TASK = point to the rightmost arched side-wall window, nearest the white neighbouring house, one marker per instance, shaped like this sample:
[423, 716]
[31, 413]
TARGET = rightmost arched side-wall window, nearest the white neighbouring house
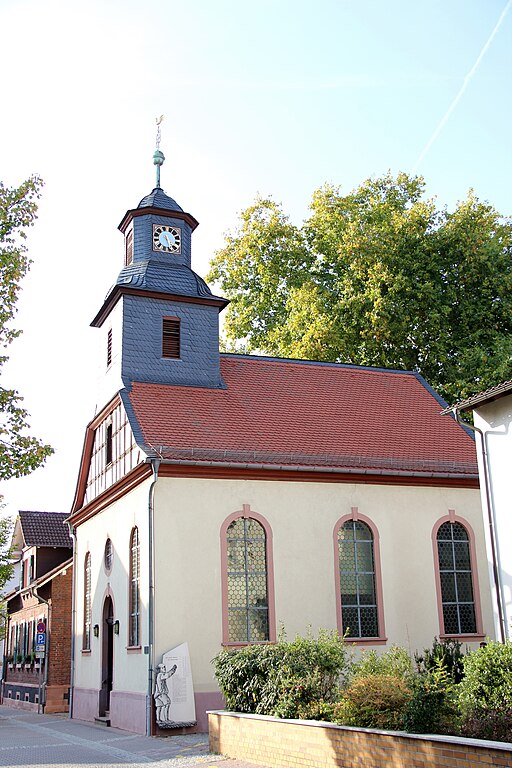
[459, 609]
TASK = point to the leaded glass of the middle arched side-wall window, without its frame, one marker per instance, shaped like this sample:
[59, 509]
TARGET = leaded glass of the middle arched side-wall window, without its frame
[357, 580]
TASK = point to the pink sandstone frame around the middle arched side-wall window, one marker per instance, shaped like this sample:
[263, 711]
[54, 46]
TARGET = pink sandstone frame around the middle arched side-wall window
[381, 638]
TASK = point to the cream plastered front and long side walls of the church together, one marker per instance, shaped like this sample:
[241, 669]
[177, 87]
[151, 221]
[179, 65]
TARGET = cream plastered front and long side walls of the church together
[189, 514]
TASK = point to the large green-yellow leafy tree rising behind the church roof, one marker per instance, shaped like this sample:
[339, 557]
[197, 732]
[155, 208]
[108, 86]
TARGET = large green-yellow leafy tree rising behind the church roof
[377, 277]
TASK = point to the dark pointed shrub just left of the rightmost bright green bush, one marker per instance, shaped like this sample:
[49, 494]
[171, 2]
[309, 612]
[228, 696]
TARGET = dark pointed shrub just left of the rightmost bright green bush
[432, 706]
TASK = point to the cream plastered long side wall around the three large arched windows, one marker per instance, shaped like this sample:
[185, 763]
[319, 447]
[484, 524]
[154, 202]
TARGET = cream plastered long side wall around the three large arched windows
[188, 517]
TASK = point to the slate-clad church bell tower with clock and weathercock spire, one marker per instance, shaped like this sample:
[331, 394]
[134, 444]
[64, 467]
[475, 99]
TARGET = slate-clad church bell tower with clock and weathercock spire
[160, 320]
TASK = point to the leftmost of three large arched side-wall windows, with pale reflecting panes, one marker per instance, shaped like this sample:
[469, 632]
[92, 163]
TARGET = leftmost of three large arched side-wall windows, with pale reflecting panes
[248, 601]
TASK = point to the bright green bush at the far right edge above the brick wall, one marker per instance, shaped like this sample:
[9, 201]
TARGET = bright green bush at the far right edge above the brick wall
[485, 693]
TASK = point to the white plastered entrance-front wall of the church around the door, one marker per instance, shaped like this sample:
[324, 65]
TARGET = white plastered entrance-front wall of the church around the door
[115, 522]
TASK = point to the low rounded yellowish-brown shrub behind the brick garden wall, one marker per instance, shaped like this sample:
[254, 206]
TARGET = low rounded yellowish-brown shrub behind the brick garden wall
[374, 701]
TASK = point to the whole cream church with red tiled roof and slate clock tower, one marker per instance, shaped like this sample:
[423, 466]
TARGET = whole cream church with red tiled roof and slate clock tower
[221, 497]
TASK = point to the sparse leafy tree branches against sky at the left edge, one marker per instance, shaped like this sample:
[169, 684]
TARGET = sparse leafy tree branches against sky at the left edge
[19, 452]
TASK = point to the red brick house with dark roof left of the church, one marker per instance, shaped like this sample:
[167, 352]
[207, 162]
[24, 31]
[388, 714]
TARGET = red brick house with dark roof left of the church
[43, 548]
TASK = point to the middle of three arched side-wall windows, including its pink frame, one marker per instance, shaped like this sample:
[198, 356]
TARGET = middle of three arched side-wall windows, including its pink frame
[358, 584]
